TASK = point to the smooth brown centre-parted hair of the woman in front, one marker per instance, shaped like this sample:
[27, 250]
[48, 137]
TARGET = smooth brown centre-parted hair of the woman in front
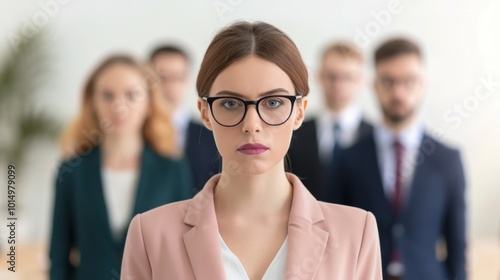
[242, 39]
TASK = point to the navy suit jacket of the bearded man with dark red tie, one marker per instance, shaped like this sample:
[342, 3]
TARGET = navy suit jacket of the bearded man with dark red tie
[434, 208]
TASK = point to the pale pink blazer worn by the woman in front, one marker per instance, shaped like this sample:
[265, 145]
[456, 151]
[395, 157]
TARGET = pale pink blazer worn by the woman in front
[181, 240]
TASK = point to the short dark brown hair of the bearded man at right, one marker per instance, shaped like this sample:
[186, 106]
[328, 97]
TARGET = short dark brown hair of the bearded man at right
[396, 47]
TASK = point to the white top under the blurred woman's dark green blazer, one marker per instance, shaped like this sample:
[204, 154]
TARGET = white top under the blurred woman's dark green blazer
[119, 192]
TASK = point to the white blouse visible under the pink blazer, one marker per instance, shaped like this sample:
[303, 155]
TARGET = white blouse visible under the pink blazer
[235, 271]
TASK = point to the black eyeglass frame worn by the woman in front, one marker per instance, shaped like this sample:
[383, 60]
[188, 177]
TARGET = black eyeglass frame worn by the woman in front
[292, 98]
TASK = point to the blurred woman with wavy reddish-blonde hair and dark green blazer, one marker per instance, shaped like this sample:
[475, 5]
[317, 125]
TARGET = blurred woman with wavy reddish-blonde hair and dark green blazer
[120, 160]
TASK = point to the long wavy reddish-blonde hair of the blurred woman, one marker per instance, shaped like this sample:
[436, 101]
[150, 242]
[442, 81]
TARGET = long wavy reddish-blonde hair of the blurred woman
[84, 132]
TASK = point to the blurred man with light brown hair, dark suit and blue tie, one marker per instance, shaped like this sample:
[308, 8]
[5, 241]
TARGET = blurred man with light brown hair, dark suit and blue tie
[316, 146]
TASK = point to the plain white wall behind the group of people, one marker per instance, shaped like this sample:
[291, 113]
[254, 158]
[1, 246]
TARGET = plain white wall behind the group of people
[461, 40]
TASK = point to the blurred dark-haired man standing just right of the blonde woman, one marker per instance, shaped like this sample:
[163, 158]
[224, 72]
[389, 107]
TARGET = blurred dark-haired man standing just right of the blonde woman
[171, 63]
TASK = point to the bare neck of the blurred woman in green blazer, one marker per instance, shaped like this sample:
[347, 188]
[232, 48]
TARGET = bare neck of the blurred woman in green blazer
[122, 152]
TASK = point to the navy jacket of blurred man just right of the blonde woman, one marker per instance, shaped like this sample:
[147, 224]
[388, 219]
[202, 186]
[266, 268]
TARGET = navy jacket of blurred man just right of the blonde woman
[202, 155]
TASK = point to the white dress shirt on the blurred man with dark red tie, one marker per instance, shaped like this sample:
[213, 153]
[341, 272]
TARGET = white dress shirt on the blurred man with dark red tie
[410, 138]
